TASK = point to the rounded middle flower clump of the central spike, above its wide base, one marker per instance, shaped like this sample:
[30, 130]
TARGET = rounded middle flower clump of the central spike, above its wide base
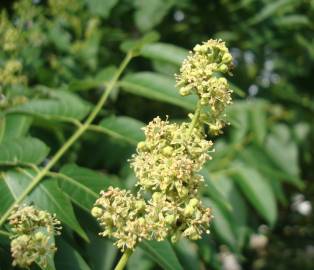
[171, 157]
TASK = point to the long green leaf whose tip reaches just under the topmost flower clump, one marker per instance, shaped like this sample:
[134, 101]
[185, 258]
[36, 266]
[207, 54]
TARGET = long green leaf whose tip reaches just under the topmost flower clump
[158, 87]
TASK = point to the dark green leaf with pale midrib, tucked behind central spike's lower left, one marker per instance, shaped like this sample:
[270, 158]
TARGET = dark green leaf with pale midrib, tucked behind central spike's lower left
[82, 185]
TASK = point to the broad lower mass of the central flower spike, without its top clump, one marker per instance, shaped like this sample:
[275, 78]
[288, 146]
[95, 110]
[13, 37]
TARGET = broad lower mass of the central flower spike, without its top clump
[166, 165]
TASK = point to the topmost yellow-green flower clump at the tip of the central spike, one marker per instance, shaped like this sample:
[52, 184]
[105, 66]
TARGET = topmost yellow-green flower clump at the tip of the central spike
[201, 72]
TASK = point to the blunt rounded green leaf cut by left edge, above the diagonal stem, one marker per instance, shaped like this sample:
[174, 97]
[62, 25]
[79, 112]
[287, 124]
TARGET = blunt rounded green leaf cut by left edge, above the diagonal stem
[22, 150]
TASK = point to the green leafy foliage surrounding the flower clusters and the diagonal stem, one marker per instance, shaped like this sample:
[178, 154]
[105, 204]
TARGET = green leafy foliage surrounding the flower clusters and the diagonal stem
[56, 57]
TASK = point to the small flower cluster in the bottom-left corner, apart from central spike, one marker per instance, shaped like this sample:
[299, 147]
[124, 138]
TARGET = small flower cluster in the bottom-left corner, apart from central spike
[32, 236]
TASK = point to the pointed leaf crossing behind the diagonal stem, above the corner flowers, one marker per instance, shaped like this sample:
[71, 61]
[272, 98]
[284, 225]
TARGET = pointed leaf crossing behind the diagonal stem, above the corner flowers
[46, 195]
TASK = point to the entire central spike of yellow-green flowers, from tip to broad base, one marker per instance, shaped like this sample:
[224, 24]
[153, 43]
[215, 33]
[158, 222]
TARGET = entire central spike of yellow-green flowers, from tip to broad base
[168, 161]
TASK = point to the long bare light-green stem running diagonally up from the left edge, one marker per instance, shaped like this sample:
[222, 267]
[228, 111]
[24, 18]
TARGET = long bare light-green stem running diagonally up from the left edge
[82, 128]
